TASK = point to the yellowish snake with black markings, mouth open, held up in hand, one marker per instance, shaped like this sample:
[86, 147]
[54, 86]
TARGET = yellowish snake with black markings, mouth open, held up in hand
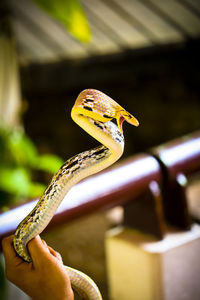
[102, 118]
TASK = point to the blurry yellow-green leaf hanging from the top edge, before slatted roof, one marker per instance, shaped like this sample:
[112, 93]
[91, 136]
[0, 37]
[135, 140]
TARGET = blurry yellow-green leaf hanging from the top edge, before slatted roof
[70, 14]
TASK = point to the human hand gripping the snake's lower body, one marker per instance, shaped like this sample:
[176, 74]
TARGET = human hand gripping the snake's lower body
[44, 278]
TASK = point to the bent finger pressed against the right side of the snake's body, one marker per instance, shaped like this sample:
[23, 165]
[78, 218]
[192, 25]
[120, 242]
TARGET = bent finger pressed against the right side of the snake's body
[37, 250]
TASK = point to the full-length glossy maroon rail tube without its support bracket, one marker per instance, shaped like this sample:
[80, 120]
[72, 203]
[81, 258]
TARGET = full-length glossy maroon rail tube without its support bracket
[118, 185]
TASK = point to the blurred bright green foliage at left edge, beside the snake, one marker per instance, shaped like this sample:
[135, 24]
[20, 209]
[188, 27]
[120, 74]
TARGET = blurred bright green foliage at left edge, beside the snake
[18, 159]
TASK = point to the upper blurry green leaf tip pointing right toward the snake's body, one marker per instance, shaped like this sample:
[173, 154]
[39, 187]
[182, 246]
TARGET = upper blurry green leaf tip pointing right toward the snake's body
[48, 162]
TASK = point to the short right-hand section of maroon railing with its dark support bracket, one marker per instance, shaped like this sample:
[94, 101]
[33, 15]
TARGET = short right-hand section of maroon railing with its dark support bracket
[178, 160]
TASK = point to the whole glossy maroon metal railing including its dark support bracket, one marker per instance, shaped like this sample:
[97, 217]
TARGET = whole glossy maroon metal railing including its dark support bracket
[162, 170]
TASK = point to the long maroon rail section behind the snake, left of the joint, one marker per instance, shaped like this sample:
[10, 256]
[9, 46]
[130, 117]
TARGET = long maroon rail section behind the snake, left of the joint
[105, 190]
